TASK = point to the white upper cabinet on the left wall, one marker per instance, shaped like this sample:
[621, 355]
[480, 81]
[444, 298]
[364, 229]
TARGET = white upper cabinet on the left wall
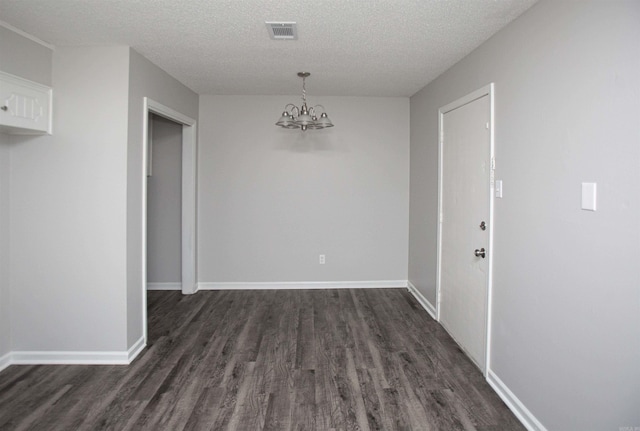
[25, 106]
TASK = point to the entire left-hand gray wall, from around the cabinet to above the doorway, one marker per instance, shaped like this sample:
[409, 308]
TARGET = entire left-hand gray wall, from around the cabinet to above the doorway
[77, 199]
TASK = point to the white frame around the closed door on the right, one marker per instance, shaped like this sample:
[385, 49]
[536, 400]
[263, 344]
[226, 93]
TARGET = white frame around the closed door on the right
[487, 90]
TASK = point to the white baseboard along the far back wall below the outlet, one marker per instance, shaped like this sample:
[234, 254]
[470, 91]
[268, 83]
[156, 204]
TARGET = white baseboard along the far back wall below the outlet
[372, 284]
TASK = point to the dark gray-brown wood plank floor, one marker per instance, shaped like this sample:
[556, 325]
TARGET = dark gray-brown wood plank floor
[268, 360]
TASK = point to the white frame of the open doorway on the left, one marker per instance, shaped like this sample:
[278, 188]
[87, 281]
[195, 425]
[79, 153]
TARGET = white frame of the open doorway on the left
[188, 210]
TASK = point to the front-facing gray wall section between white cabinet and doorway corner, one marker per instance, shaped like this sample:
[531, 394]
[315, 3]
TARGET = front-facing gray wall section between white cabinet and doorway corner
[68, 211]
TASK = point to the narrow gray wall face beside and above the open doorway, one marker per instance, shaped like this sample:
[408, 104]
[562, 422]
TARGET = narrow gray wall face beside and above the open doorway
[145, 80]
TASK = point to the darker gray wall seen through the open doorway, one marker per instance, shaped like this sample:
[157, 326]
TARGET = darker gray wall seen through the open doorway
[164, 203]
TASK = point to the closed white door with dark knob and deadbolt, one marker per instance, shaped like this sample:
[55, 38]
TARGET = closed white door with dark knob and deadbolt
[465, 224]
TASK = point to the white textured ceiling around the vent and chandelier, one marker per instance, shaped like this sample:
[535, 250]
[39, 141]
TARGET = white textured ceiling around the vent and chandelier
[351, 48]
